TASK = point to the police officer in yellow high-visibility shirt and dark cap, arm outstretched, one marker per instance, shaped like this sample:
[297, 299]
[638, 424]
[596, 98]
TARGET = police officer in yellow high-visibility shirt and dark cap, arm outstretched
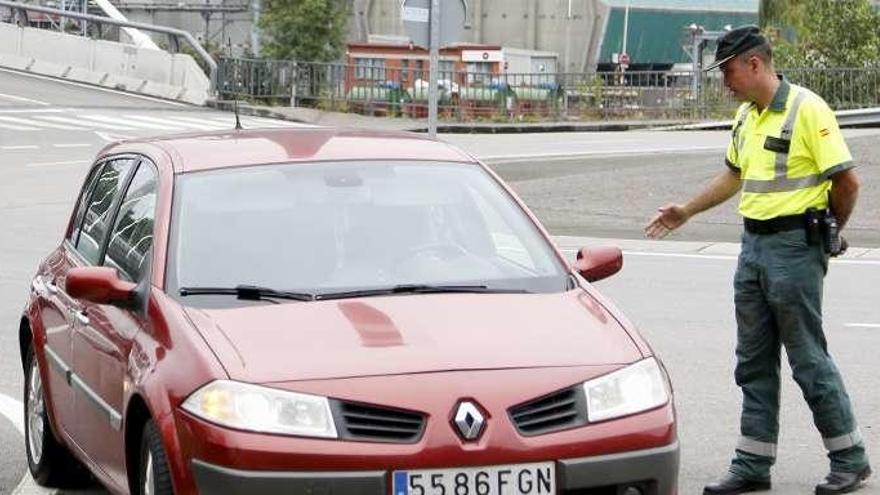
[788, 157]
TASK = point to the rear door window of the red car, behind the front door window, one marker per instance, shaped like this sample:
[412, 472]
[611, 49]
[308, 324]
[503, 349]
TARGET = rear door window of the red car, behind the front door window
[98, 215]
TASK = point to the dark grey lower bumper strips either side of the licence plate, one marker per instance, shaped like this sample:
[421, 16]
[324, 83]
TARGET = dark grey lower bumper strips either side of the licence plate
[651, 471]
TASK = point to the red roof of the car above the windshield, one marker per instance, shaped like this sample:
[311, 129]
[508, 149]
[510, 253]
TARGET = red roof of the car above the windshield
[235, 148]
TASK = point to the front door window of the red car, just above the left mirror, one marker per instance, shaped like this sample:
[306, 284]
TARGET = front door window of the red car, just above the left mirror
[132, 236]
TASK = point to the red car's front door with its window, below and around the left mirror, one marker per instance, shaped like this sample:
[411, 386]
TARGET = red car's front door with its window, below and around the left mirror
[104, 334]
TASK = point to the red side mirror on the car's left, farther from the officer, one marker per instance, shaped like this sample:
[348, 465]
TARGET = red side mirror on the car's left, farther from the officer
[100, 285]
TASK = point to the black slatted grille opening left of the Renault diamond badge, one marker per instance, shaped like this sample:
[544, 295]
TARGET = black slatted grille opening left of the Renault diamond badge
[356, 421]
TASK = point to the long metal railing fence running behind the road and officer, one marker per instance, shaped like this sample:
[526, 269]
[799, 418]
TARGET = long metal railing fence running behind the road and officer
[475, 96]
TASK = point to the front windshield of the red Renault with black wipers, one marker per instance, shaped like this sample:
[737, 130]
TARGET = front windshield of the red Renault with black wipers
[325, 228]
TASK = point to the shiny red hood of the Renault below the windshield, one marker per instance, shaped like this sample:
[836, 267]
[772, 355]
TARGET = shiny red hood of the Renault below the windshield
[412, 334]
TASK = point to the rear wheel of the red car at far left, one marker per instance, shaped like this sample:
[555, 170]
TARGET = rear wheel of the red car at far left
[51, 464]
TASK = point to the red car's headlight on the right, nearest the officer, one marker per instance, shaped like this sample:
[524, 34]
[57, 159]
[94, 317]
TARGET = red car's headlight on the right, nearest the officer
[636, 388]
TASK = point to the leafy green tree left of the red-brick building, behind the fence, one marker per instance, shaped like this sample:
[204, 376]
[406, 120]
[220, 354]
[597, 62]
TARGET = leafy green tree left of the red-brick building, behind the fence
[304, 30]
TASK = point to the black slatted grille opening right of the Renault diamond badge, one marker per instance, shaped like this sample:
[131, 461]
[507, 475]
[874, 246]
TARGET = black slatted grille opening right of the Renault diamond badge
[558, 411]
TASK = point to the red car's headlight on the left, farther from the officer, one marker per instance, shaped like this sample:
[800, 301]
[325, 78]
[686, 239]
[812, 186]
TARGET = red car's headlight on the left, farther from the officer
[262, 409]
